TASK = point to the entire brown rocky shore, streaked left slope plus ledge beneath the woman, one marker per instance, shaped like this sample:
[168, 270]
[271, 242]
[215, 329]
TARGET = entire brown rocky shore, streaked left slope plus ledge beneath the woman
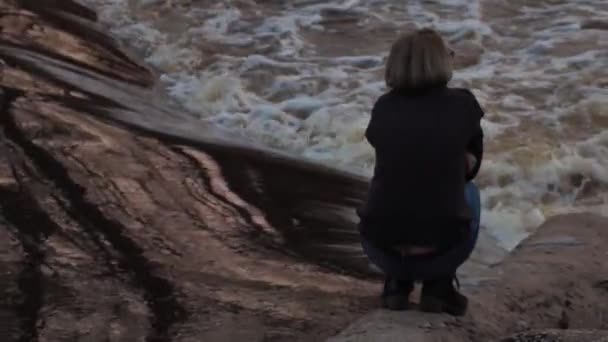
[123, 219]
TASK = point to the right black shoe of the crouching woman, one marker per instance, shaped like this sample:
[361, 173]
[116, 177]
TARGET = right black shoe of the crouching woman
[440, 295]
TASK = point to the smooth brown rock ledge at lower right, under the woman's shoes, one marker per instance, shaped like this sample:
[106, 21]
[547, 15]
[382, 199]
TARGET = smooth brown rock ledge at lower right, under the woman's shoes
[553, 287]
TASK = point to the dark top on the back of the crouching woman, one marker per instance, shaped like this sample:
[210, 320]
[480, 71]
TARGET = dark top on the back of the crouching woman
[416, 194]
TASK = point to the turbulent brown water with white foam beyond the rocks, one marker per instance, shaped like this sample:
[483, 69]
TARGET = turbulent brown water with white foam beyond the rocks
[301, 76]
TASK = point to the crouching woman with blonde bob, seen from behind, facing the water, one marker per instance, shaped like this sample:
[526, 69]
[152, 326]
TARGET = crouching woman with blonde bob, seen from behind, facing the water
[421, 218]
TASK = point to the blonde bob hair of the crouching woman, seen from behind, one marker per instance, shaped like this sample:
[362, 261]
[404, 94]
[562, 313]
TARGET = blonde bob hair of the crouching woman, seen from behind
[418, 60]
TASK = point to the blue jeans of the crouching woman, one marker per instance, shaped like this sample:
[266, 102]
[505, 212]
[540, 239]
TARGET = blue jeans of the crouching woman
[409, 268]
